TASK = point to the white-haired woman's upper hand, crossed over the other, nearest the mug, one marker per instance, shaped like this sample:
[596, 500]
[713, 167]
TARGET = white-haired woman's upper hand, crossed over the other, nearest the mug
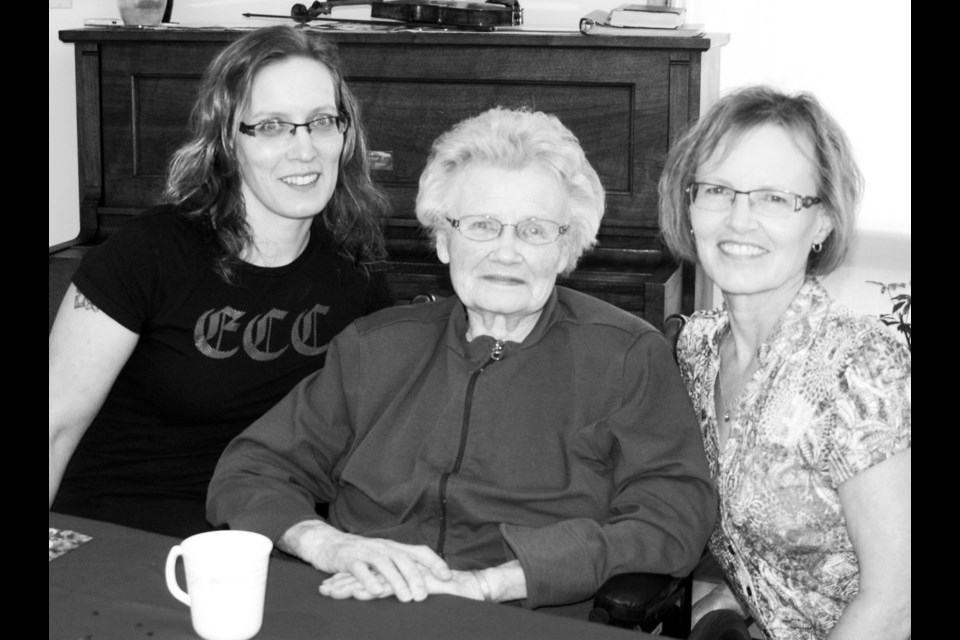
[380, 567]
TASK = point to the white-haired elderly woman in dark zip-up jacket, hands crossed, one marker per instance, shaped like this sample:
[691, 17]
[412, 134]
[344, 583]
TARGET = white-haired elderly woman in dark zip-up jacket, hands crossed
[517, 442]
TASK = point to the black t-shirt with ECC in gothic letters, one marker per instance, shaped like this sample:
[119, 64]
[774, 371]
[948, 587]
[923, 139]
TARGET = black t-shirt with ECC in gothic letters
[211, 358]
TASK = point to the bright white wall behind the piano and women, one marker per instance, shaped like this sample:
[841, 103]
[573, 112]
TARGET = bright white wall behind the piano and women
[854, 55]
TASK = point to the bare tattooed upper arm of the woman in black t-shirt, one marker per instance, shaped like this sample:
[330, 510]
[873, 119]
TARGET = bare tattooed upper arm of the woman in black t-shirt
[87, 351]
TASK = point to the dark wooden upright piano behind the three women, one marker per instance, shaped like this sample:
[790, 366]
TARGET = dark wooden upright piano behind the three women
[626, 98]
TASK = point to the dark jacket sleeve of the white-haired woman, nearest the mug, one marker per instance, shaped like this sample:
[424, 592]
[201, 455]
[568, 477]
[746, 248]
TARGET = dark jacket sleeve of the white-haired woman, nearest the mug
[273, 474]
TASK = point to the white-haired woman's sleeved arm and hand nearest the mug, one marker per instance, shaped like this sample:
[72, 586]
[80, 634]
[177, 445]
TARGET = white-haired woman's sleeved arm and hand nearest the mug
[271, 476]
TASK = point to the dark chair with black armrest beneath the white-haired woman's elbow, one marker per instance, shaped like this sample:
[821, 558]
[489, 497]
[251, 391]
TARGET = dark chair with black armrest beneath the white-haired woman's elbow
[661, 604]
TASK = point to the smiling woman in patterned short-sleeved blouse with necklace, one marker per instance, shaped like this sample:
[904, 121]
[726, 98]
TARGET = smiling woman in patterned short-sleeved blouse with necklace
[804, 405]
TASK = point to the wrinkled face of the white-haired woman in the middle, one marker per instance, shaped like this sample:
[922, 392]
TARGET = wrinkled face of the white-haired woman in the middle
[504, 276]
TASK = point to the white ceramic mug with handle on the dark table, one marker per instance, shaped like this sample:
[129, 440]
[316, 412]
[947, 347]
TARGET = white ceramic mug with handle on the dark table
[226, 575]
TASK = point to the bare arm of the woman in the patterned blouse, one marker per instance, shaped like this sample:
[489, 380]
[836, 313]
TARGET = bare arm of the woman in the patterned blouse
[876, 506]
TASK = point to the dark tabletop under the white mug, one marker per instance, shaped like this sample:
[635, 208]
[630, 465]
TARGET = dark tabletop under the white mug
[113, 587]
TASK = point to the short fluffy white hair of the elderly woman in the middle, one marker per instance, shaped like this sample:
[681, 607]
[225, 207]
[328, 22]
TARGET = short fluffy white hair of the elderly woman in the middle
[515, 139]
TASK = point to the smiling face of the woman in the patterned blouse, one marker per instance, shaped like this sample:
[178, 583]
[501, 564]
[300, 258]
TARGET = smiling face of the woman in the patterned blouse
[741, 250]
